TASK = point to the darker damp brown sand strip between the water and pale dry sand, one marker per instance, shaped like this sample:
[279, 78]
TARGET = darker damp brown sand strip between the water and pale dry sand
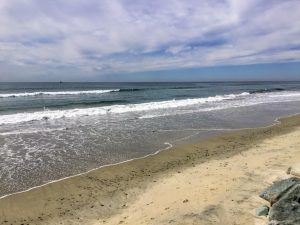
[134, 176]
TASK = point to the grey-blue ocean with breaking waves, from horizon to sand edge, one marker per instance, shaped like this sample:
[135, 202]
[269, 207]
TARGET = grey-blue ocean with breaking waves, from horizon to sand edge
[49, 131]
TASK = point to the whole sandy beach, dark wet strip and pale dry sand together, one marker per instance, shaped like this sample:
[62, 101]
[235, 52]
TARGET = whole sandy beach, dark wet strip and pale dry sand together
[214, 181]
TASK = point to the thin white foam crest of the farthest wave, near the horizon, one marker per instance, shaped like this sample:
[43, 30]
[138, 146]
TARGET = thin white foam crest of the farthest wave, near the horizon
[26, 94]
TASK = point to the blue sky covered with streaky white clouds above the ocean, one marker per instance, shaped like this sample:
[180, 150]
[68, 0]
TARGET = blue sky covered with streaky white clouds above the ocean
[150, 40]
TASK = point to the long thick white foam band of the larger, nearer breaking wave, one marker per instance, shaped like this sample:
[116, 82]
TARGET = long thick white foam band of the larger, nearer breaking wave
[114, 109]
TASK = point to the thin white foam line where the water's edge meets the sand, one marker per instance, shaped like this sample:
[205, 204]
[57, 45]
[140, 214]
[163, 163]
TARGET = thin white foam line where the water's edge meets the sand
[170, 145]
